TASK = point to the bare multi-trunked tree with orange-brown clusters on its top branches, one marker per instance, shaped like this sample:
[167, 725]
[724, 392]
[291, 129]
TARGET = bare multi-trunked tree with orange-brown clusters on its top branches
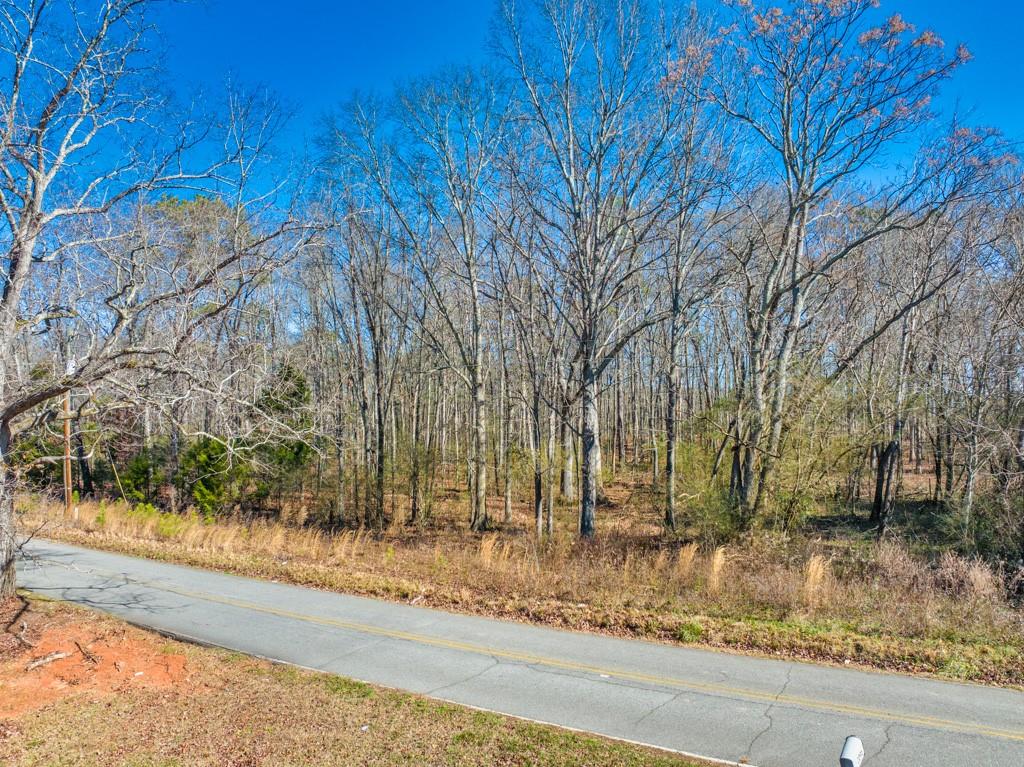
[825, 92]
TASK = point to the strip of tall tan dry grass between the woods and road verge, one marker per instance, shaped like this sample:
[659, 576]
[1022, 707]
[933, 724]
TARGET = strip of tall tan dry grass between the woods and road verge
[877, 588]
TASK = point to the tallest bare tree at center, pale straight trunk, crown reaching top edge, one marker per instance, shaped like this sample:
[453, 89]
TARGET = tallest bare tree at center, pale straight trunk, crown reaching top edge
[589, 86]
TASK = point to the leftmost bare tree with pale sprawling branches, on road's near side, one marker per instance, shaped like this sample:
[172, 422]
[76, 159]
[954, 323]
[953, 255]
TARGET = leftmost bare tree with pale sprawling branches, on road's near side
[83, 137]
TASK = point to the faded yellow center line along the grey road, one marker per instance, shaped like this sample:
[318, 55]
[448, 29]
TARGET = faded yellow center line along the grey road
[712, 689]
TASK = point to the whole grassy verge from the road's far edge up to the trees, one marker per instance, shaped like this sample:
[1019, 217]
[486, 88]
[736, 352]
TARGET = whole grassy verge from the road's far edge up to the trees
[836, 598]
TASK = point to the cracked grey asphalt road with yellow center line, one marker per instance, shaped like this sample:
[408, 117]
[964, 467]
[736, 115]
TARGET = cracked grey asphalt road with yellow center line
[715, 705]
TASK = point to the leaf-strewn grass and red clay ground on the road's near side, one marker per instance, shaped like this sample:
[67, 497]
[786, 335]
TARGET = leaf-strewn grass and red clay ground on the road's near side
[81, 689]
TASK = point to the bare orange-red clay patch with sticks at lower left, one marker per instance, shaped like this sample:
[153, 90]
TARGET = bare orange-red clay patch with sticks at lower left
[101, 659]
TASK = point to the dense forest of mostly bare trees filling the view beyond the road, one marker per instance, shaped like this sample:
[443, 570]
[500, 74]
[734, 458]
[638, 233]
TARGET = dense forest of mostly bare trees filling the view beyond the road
[733, 285]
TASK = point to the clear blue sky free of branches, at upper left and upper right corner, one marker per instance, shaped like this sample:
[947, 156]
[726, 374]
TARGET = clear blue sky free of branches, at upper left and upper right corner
[314, 54]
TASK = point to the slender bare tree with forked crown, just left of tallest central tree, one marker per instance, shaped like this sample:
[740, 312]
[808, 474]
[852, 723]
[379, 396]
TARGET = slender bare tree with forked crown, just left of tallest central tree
[435, 177]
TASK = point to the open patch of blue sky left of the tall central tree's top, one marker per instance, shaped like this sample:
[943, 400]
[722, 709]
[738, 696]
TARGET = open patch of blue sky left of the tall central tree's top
[315, 54]
